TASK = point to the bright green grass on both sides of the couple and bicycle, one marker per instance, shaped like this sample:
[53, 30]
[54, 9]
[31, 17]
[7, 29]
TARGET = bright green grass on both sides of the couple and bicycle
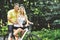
[44, 34]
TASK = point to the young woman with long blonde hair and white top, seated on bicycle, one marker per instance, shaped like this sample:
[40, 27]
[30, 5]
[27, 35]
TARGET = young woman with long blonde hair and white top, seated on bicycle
[21, 19]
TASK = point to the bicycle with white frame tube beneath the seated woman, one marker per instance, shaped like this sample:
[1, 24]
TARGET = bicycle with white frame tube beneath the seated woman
[28, 34]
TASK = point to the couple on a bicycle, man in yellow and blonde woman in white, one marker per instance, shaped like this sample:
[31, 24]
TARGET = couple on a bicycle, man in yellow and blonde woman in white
[16, 18]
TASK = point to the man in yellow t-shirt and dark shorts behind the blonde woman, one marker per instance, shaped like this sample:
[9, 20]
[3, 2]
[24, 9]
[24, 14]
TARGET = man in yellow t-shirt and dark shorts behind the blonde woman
[11, 17]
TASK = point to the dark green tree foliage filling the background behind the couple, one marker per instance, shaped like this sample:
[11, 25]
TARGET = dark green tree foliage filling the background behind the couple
[40, 12]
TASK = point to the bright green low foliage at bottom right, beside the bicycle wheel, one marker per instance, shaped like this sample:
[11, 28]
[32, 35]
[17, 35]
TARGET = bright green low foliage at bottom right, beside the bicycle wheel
[47, 34]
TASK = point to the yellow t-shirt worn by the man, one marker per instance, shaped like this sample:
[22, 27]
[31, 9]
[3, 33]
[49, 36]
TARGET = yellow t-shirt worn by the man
[12, 14]
